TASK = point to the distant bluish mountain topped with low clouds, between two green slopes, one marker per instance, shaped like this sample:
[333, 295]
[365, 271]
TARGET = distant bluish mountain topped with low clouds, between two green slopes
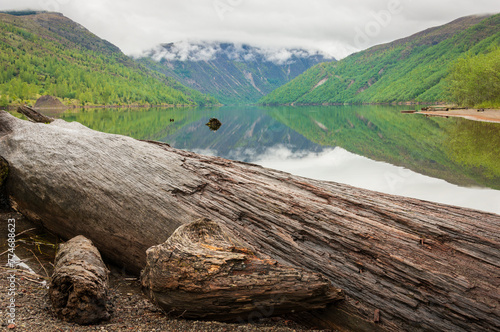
[232, 73]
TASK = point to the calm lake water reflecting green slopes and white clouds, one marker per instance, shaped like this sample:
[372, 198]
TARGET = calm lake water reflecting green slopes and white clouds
[447, 160]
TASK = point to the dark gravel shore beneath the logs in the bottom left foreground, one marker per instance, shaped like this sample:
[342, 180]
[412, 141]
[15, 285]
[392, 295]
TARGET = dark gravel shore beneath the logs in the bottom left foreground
[132, 311]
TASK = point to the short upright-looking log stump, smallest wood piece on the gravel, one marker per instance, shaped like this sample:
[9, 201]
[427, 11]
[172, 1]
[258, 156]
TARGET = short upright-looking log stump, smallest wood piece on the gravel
[79, 287]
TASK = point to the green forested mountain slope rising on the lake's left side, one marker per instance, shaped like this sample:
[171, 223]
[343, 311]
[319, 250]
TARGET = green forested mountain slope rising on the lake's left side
[47, 53]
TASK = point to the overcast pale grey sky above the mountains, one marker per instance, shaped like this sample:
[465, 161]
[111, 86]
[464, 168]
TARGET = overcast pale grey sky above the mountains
[332, 26]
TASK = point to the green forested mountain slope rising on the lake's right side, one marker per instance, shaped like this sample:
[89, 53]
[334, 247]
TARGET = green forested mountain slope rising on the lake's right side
[409, 69]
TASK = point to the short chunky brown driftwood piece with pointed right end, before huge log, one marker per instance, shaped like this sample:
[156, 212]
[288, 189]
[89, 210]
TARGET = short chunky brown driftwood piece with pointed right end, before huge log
[202, 272]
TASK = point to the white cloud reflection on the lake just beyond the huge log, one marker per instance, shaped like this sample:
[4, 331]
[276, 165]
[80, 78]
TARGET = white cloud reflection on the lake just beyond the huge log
[339, 165]
